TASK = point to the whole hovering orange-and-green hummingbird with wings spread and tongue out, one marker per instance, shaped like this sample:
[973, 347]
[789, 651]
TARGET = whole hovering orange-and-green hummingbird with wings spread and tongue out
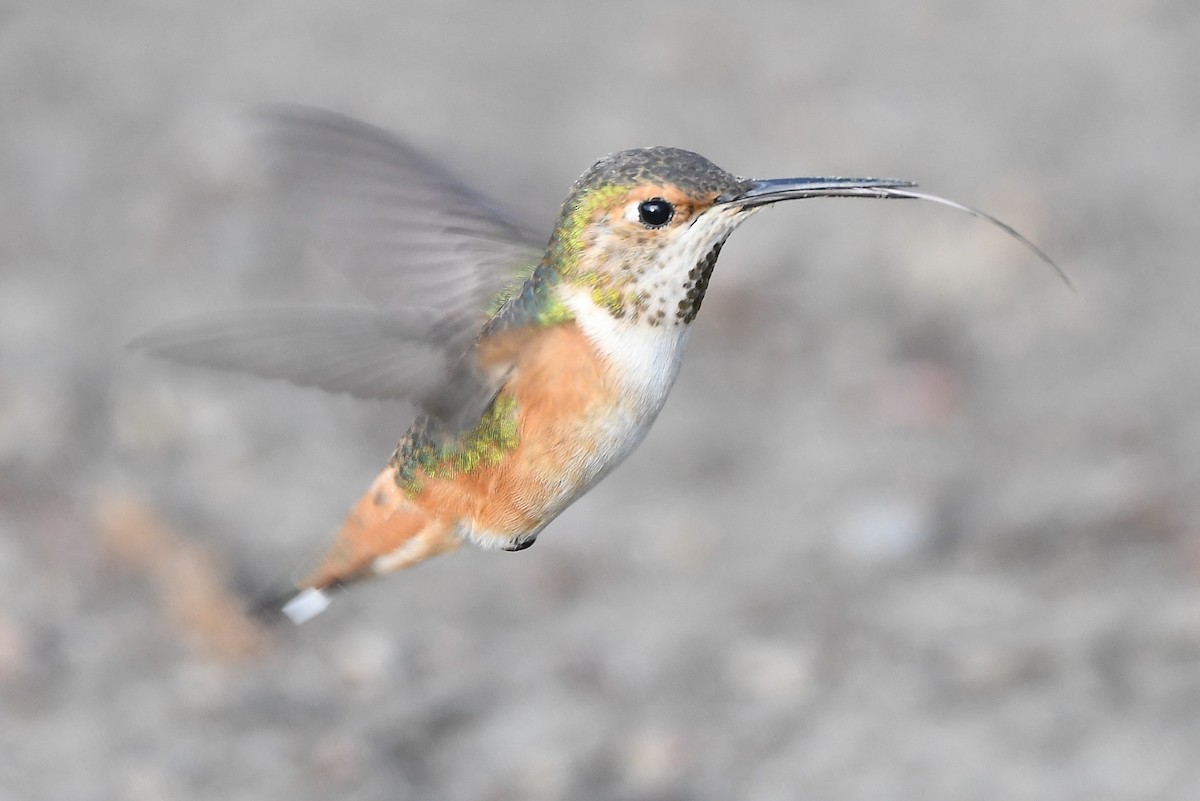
[536, 368]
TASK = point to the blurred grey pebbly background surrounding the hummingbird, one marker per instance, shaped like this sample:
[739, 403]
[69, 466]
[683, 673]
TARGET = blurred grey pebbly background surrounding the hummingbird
[919, 522]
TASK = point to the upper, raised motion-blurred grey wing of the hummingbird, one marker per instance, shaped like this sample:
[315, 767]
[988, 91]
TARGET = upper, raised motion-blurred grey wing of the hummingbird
[403, 228]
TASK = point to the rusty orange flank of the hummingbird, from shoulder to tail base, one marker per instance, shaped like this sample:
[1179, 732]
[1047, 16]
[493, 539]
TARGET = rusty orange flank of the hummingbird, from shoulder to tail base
[563, 402]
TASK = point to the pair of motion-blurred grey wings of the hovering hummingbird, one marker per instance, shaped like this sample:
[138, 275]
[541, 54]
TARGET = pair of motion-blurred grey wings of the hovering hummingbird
[423, 245]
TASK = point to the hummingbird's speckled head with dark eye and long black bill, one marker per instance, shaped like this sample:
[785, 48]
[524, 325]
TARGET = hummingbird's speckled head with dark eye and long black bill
[643, 228]
